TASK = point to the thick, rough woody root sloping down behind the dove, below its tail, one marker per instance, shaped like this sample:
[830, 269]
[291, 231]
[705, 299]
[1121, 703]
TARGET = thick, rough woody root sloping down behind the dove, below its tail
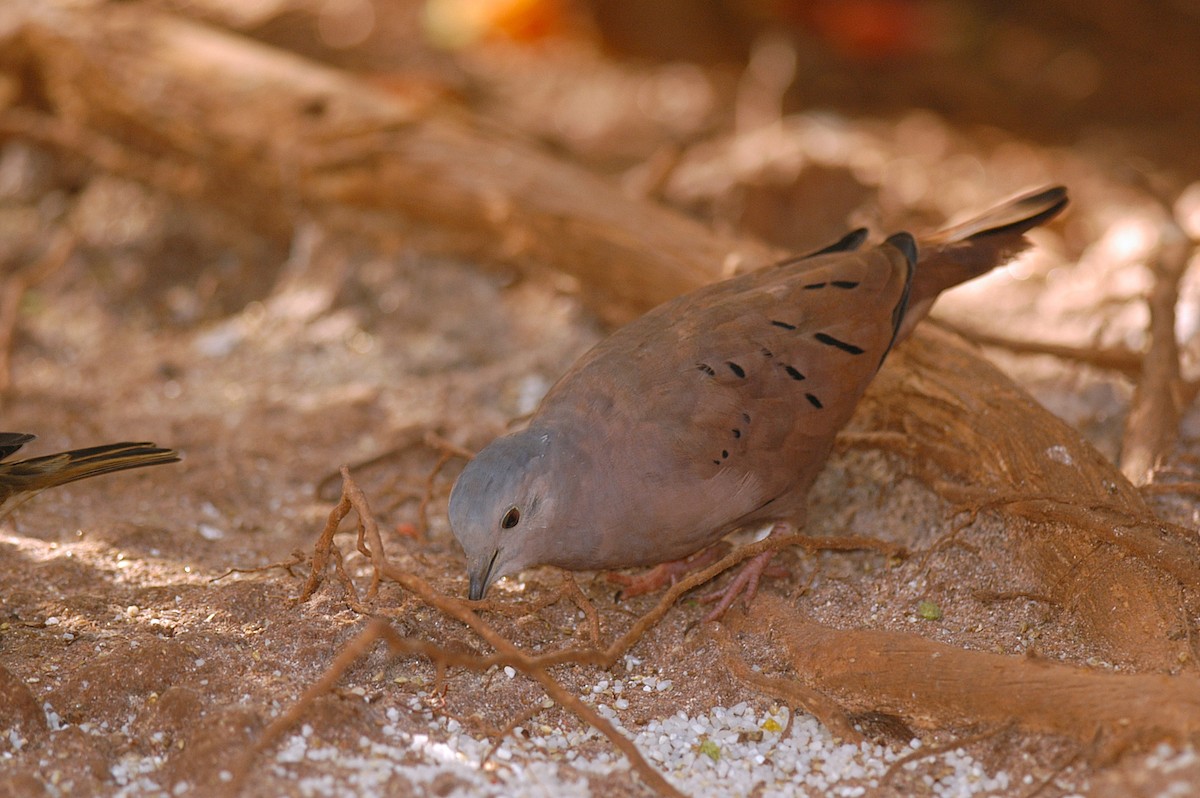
[1083, 536]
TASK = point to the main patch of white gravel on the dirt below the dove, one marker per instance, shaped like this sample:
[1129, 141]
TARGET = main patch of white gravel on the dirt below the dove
[728, 752]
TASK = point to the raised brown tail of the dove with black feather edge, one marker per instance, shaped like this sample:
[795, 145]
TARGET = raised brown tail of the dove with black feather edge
[974, 248]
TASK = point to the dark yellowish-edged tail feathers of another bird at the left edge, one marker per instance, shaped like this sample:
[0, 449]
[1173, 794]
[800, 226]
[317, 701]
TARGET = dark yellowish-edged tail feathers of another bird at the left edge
[21, 479]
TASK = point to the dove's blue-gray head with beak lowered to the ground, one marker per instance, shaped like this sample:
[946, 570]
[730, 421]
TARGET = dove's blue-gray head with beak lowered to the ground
[502, 507]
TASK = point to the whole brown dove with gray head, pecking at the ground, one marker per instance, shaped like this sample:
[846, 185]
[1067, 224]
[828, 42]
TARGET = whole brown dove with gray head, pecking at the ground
[716, 411]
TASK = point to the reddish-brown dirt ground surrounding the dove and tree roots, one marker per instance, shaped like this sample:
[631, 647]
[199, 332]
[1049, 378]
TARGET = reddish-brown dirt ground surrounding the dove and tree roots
[151, 629]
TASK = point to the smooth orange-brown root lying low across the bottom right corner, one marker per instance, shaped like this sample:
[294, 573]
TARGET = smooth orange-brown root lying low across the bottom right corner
[935, 686]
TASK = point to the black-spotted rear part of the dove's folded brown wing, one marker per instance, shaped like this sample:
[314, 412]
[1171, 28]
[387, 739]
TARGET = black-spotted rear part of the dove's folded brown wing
[778, 367]
